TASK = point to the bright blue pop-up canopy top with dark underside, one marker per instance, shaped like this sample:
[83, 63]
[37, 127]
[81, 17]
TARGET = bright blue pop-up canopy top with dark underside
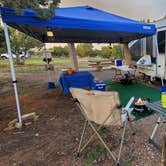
[78, 24]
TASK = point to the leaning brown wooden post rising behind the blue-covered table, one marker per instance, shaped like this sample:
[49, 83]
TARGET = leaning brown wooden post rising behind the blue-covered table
[73, 56]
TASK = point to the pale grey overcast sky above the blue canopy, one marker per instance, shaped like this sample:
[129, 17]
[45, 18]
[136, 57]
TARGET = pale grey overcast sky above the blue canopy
[135, 9]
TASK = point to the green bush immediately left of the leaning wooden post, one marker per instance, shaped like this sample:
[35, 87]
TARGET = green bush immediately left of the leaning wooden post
[60, 51]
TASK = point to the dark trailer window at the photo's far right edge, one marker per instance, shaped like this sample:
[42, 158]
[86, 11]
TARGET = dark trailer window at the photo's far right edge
[161, 41]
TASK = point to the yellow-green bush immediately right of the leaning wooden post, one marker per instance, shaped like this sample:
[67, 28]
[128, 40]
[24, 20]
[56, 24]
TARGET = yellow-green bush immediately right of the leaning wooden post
[84, 50]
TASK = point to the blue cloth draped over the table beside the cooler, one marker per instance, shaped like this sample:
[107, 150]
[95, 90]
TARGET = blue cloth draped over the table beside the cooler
[76, 80]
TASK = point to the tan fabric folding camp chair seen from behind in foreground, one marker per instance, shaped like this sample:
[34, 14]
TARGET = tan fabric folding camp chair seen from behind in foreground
[104, 109]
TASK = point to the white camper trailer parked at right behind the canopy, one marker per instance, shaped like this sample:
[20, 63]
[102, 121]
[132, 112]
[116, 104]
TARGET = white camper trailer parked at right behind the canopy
[150, 52]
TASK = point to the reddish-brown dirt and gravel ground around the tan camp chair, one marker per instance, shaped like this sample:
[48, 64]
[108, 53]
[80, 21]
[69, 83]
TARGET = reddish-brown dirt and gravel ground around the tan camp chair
[53, 139]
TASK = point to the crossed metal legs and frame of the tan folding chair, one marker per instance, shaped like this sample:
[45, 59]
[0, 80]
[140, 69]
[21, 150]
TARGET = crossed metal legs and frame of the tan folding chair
[88, 122]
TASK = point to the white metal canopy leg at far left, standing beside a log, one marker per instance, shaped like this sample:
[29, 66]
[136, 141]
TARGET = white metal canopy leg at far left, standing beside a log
[14, 81]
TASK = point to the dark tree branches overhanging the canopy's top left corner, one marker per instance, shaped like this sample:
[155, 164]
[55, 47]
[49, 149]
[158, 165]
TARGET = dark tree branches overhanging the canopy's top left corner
[44, 8]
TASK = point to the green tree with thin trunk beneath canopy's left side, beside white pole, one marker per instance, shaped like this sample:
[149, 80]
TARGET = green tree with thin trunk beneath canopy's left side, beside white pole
[21, 42]
